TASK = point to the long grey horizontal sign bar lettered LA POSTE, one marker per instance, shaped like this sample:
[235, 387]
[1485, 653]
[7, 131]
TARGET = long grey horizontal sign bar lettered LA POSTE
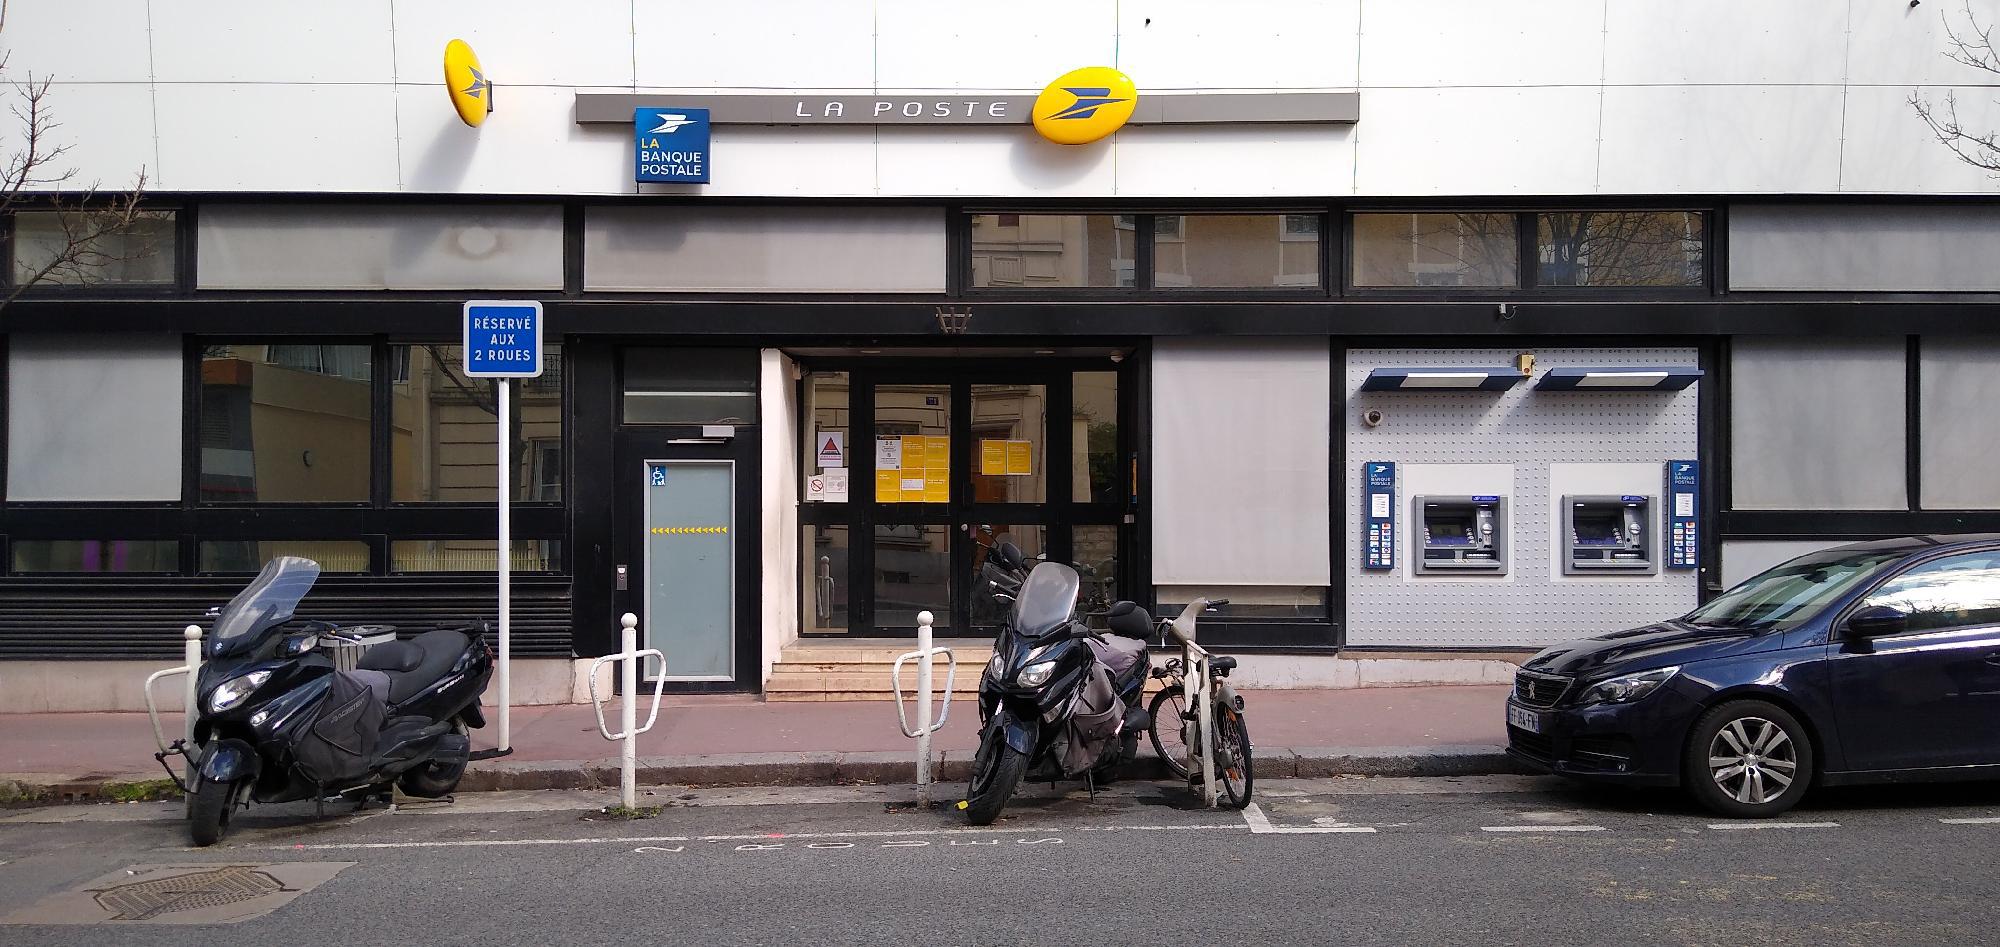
[969, 111]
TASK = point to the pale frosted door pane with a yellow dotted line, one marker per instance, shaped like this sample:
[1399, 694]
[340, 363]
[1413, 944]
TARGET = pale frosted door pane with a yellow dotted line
[691, 568]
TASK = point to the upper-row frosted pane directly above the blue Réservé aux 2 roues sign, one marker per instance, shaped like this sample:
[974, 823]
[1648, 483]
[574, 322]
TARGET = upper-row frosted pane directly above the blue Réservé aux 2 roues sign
[315, 247]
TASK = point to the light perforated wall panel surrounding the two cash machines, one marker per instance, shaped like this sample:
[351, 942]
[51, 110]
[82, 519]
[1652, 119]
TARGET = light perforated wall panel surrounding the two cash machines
[1529, 431]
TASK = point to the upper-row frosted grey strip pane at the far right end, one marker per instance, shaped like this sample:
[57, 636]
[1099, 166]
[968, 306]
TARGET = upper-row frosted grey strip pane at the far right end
[1865, 249]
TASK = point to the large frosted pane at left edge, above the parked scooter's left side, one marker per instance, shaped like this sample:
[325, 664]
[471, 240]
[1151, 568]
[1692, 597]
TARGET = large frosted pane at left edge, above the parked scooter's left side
[93, 419]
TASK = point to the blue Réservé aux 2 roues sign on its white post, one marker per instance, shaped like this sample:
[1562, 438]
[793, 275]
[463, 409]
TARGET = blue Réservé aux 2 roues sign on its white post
[503, 341]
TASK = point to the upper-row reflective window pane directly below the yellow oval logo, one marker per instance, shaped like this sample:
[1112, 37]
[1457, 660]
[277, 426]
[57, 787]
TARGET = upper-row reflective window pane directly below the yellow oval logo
[1035, 251]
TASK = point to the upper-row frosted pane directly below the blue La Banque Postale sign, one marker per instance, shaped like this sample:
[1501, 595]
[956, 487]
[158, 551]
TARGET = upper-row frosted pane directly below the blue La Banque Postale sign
[765, 249]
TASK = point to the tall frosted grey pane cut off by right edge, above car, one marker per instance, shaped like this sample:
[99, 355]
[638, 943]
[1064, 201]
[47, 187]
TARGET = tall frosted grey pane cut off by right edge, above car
[1961, 423]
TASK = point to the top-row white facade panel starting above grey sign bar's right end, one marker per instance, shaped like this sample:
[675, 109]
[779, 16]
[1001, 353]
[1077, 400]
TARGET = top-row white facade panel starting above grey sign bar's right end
[1481, 43]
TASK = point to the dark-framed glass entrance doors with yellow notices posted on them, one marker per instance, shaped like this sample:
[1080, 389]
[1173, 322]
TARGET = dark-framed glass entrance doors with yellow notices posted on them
[941, 469]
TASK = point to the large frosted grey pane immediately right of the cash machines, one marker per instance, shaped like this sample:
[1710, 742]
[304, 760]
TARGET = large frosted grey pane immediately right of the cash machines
[1819, 425]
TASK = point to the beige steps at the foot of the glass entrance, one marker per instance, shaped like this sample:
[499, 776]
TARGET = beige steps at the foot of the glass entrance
[859, 668]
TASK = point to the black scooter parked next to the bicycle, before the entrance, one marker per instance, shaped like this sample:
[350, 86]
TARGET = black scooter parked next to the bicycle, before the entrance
[1057, 700]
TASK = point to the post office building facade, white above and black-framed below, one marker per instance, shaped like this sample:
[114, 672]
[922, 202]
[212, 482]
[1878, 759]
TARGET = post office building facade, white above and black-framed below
[1429, 327]
